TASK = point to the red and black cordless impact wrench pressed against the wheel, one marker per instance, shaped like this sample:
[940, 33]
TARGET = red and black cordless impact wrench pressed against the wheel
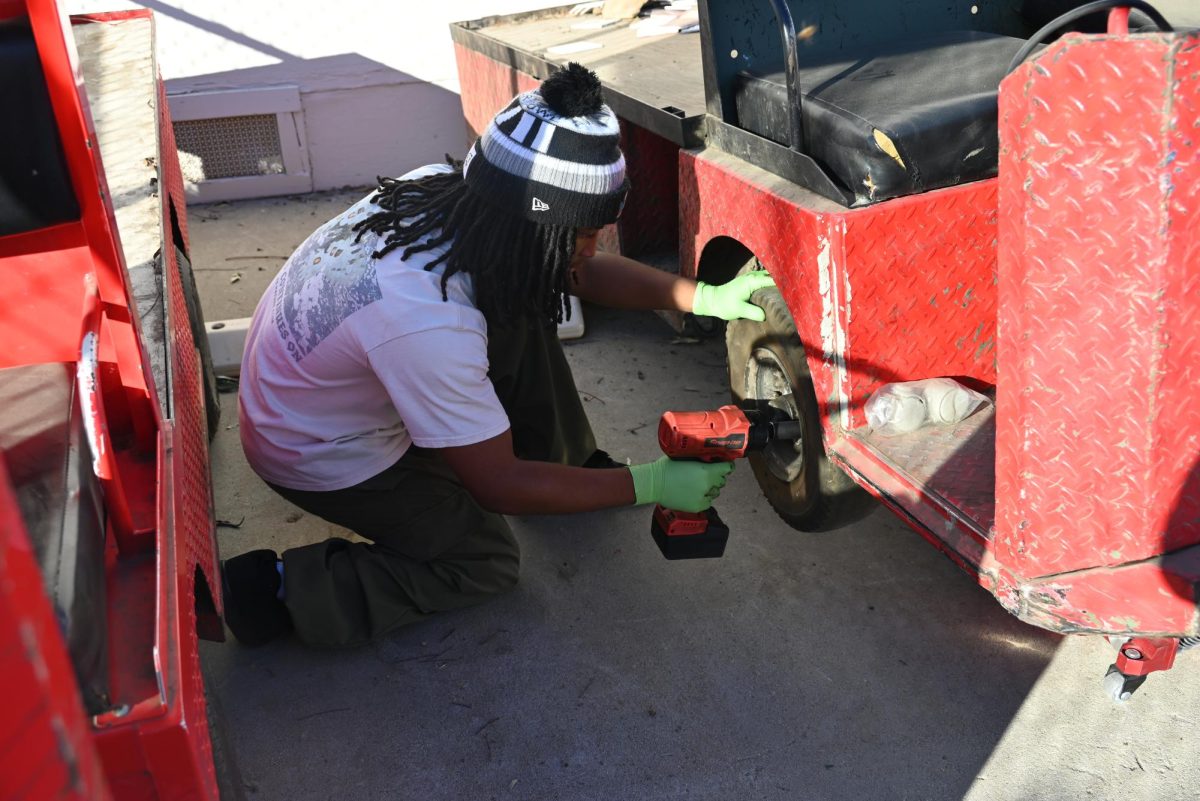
[721, 436]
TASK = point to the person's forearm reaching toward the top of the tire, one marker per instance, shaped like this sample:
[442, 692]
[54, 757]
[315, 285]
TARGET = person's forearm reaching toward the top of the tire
[615, 281]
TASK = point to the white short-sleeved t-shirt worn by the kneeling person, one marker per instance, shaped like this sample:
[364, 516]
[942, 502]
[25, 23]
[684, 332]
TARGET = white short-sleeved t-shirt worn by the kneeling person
[352, 359]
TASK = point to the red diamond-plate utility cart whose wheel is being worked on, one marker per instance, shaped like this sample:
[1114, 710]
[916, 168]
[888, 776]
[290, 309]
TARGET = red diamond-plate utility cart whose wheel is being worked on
[1067, 288]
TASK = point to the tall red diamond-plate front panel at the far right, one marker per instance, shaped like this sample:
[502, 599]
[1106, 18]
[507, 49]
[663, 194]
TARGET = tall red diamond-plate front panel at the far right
[1100, 430]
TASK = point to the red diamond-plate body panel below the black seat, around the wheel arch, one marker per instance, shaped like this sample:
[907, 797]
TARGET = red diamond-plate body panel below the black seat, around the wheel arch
[896, 292]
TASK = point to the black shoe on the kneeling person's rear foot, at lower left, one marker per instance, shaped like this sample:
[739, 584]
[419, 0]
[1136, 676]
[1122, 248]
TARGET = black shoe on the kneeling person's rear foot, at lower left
[250, 585]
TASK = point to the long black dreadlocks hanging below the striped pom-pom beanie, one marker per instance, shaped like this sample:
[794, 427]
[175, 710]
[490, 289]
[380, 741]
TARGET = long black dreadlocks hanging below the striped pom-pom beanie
[519, 268]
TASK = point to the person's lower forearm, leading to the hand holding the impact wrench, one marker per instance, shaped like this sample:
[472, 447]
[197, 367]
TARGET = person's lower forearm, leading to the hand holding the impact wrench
[545, 489]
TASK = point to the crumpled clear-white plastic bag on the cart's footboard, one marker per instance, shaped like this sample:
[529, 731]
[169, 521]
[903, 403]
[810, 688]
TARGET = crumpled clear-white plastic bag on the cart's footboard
[909, 406]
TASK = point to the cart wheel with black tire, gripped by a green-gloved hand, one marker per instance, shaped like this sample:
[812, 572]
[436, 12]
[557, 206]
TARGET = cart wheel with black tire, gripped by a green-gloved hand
[767, 366]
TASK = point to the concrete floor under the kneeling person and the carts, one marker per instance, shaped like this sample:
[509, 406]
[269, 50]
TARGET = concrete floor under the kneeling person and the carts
[857, 665]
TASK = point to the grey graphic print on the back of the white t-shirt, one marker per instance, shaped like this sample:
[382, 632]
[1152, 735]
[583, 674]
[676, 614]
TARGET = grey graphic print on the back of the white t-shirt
[329, 279]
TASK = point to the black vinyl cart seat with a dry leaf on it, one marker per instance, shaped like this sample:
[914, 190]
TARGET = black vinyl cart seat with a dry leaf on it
[898, 121]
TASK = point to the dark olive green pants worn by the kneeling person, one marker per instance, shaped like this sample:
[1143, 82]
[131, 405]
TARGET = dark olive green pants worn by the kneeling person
[433, 547]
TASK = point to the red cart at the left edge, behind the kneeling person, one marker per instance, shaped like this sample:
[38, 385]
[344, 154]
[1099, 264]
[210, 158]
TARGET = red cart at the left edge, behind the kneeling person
[109, 565]
